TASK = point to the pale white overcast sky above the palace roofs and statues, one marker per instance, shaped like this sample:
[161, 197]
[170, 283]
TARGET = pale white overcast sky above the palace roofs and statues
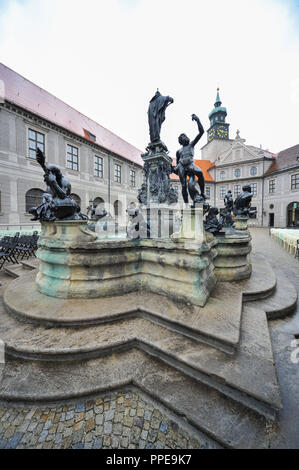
[106, 58]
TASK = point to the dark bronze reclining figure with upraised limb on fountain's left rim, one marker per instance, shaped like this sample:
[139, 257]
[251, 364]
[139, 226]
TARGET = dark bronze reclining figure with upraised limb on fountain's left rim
[57, 202]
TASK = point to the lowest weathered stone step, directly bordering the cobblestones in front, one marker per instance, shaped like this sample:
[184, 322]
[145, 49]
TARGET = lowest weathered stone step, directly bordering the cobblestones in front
[229, 423]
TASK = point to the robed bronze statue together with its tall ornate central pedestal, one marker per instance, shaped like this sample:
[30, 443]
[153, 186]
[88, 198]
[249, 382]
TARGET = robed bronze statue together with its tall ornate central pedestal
[157, 187]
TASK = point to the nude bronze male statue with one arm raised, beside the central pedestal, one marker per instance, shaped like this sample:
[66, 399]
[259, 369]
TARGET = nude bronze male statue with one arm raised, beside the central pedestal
[186, 168]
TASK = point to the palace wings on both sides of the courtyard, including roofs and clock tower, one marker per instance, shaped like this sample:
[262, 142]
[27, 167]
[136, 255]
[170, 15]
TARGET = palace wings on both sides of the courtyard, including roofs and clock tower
[104, 168]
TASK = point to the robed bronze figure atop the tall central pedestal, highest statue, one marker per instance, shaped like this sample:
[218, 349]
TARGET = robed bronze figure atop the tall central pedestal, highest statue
[156, 114]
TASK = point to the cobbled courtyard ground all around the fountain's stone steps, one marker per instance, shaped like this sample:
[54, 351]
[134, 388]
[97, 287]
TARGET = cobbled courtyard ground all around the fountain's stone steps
[130, 419]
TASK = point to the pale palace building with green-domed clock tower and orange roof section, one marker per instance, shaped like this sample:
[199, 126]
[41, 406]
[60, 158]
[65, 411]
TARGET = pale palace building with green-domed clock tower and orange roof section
[228, 164]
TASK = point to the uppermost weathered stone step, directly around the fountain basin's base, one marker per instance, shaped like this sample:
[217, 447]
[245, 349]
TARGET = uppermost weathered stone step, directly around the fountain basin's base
[217, 324]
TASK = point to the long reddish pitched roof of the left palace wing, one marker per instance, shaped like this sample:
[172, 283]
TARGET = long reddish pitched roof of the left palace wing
[27, 95]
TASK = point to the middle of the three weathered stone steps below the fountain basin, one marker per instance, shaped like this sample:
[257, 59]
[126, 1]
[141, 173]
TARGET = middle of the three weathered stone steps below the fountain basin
[257, 388]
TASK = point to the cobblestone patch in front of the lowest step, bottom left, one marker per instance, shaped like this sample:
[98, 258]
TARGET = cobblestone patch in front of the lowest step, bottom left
[111, 421]
